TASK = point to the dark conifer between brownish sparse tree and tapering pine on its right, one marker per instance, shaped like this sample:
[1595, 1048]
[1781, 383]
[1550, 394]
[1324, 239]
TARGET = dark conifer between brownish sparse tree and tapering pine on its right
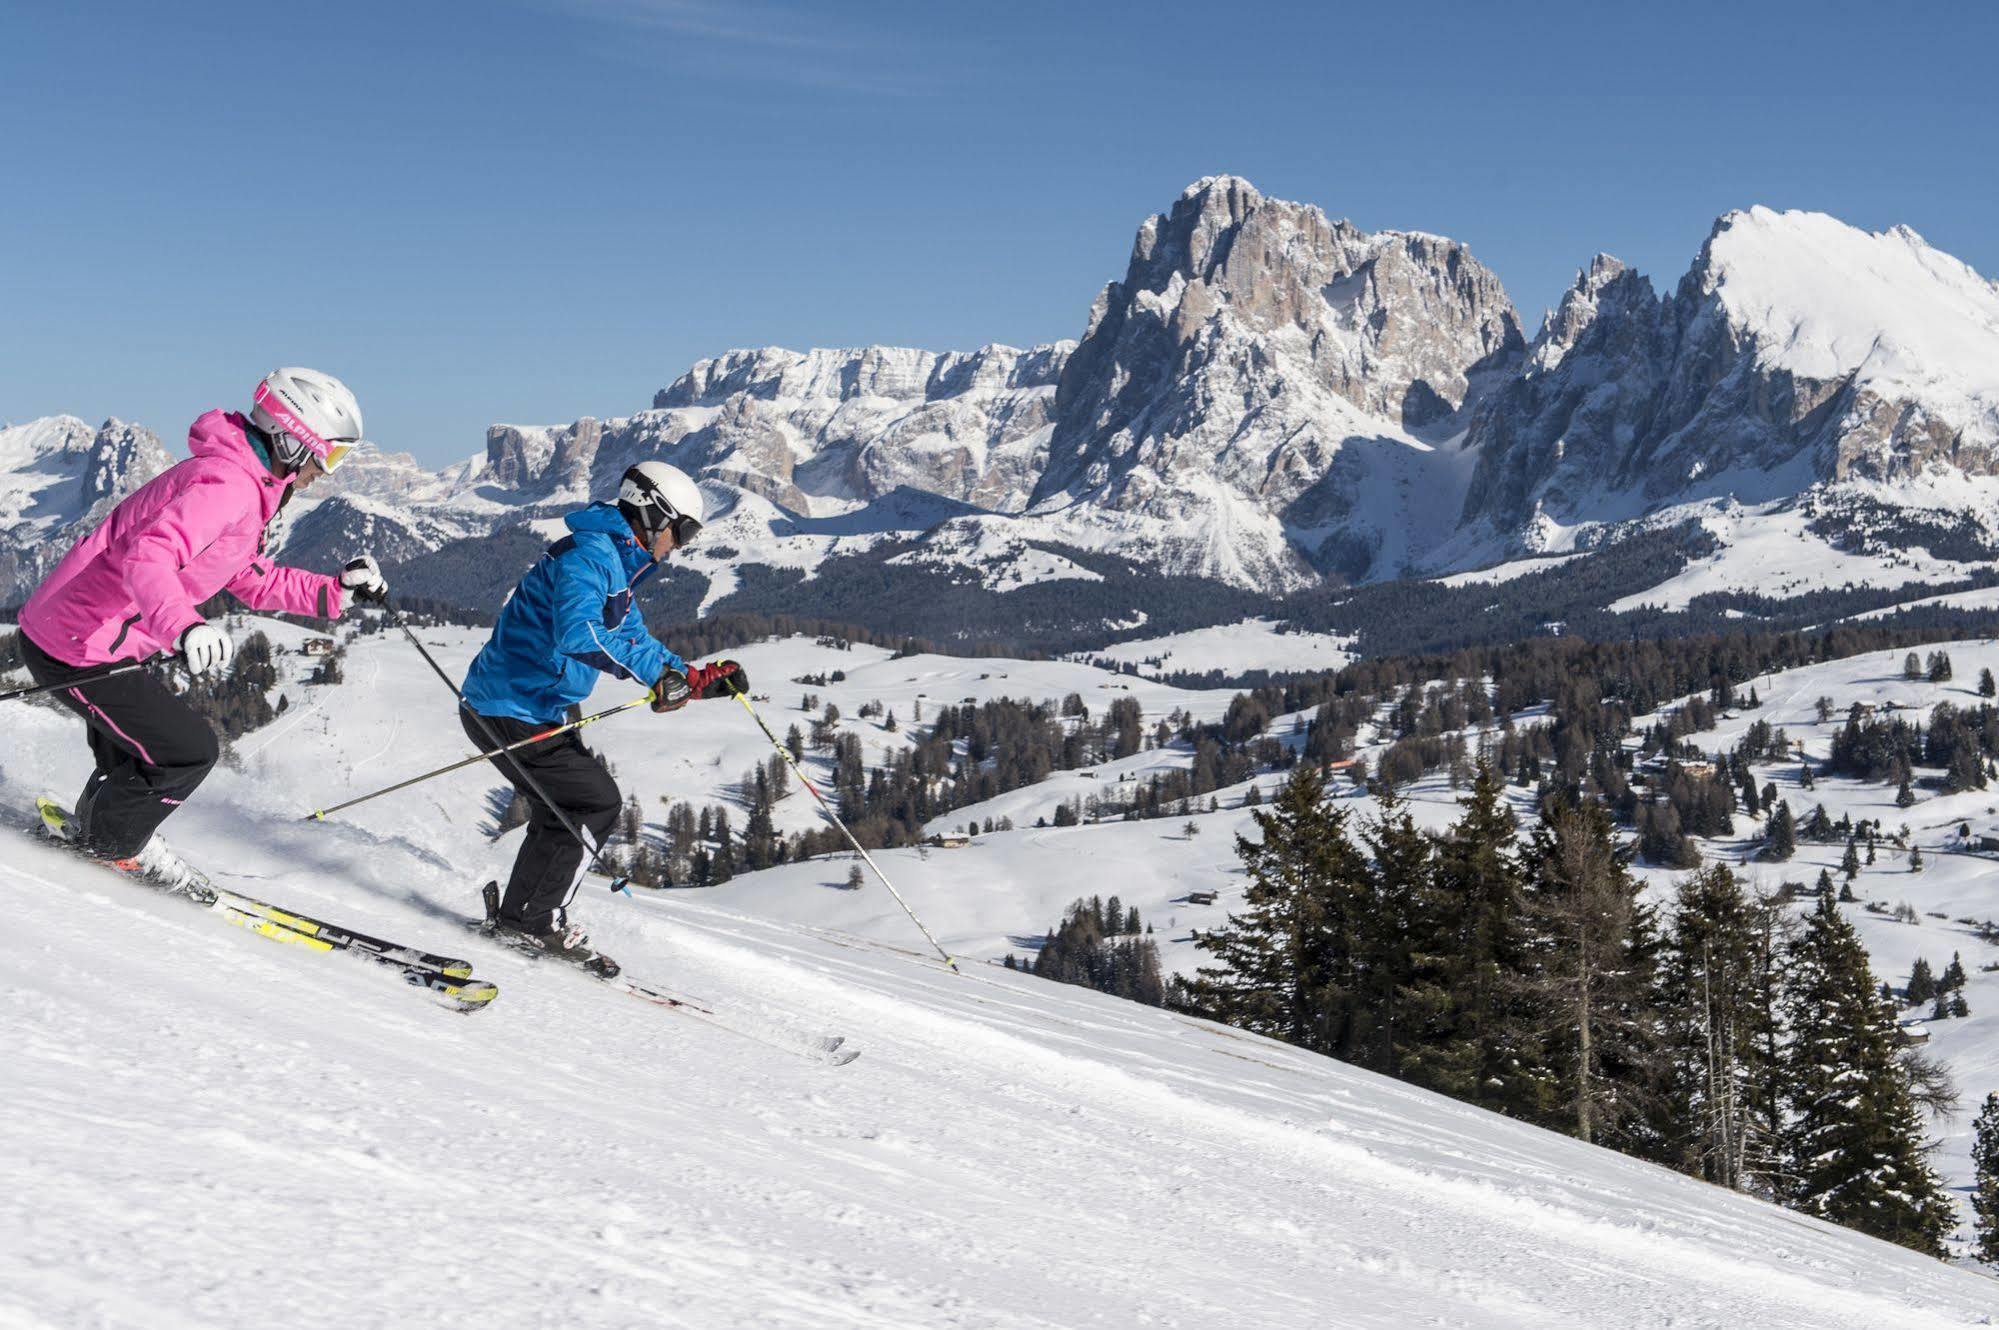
[1720, 1031]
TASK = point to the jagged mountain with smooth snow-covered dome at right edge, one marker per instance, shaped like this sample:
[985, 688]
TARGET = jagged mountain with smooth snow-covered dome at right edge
[1796, 351]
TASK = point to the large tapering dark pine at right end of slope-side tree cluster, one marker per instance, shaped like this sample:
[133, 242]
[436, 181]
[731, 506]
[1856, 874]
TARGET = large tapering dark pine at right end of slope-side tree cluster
[1854, 1141]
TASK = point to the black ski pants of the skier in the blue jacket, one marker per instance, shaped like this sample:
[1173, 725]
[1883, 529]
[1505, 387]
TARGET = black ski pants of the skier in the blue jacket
[551, 863]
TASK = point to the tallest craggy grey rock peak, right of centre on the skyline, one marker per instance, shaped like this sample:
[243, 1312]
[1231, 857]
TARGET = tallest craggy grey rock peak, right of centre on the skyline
[1258, 371]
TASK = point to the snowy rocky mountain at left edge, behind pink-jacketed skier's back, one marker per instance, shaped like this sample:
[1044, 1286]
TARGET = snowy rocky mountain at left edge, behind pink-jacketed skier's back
[57, 481]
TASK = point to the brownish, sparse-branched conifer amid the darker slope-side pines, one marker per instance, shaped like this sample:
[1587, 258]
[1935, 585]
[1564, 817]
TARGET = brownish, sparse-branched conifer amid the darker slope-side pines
[1596, 953]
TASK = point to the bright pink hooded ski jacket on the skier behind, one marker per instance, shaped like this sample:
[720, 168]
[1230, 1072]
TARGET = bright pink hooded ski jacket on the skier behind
[131, 589]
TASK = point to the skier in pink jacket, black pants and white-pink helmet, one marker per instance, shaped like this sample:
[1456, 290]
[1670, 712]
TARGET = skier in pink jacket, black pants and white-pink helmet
[133, 587]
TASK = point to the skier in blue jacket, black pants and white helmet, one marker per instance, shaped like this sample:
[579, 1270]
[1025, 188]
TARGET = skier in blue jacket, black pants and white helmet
[571, 619]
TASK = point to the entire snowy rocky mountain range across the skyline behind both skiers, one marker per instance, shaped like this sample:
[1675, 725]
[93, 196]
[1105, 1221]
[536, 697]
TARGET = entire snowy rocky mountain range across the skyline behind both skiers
[1270, 415]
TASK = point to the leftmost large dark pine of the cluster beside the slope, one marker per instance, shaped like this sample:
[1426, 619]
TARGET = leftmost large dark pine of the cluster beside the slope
[1284, 967]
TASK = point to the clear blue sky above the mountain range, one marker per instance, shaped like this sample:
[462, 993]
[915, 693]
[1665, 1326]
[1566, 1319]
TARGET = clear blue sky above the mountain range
[537, 211]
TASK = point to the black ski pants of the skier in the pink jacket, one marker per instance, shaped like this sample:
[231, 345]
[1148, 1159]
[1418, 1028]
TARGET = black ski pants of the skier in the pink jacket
[151, 747]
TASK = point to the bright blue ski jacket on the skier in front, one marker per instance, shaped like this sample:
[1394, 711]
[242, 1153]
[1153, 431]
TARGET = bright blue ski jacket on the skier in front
[571, 619]
